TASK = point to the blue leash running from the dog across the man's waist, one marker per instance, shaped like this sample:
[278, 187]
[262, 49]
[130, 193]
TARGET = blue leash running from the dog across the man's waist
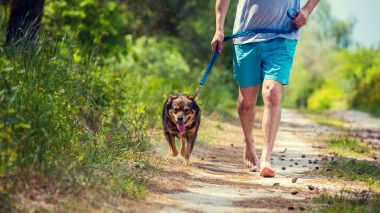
[291, 13]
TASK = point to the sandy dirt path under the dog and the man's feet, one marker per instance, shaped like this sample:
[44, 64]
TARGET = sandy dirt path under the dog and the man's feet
[217, 180]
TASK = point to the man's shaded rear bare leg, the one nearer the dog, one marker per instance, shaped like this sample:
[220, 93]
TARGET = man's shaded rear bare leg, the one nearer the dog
[246, 109]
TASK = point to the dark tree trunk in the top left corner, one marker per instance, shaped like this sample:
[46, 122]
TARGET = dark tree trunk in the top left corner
[25, 20]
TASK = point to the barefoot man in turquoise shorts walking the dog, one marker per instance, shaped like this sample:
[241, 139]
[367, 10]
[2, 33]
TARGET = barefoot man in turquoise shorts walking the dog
[264, 58]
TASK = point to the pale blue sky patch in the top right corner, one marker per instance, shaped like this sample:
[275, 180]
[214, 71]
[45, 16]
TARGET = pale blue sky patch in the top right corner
[367, 14]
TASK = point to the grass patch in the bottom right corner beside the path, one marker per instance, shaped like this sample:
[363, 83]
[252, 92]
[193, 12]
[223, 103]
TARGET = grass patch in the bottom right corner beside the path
[349, 202]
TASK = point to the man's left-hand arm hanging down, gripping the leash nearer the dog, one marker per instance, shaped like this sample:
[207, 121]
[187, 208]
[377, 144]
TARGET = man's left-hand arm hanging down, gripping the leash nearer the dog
[221, 7]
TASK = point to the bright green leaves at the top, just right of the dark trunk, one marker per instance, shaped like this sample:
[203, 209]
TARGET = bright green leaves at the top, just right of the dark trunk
[97, 24]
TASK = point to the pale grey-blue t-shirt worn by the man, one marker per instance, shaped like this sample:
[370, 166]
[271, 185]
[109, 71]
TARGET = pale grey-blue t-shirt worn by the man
[251, 14]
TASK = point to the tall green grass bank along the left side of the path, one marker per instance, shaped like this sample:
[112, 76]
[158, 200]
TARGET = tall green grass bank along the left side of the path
[68, 122]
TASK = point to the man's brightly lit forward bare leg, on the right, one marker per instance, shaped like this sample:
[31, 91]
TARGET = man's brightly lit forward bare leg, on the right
[272, 92]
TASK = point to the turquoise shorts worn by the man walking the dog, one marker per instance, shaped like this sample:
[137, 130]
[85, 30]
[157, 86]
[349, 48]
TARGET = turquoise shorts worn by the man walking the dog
[256, 61]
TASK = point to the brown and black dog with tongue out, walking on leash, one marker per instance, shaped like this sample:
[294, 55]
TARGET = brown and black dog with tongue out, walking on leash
[181, 117]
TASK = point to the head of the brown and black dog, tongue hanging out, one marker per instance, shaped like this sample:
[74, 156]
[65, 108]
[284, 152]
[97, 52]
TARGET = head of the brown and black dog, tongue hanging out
[182, 110]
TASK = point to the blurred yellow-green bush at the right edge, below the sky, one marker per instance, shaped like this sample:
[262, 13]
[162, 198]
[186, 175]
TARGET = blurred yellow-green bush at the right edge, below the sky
[351, 83]
